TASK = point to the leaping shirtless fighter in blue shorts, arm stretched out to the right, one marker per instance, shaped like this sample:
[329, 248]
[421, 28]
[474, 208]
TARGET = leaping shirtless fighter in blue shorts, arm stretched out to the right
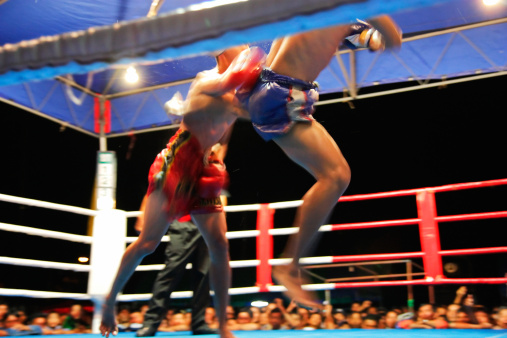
[281, 106]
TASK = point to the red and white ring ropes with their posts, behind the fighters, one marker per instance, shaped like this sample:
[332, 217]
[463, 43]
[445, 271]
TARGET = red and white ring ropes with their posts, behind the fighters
[110, 241]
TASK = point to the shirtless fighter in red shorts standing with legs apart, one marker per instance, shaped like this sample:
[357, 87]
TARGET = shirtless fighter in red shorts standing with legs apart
[187, 177]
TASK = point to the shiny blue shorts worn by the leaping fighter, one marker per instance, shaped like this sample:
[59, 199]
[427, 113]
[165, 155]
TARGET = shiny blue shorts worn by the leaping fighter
[277, 101]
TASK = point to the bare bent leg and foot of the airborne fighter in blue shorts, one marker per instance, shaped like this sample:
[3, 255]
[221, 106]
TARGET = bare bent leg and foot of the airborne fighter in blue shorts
[310, 146]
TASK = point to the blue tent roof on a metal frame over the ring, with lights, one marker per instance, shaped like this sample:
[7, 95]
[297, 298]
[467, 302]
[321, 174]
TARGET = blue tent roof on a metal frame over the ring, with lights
[442, 40]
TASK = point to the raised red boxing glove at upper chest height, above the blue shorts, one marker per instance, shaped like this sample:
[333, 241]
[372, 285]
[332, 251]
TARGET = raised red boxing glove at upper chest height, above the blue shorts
[244, 71]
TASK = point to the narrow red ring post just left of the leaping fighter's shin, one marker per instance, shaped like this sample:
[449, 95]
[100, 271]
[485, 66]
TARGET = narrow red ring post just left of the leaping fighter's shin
[264, 247]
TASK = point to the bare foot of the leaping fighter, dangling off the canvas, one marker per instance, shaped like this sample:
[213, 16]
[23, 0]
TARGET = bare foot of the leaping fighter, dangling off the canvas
[288, 276]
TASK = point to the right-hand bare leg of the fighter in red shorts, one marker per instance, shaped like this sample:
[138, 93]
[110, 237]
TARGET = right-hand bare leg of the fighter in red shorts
[213, 227]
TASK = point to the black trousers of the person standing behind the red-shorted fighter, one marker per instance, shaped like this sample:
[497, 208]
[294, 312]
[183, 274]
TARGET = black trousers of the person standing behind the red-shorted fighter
[186, 245]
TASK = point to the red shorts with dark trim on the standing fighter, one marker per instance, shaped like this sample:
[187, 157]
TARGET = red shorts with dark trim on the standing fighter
[179, 170]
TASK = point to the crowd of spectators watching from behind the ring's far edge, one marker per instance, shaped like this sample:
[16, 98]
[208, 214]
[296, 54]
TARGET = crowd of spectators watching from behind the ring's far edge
[463, 313]
